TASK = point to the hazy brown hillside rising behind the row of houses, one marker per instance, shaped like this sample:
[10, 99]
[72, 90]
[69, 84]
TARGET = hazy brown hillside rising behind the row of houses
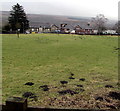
[37, 20]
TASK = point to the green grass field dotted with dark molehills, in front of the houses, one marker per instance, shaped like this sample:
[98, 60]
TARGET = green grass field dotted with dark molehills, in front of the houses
[47, 59]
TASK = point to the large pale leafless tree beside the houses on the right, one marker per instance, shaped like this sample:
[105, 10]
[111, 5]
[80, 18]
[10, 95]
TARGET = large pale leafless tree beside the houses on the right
[99, 23]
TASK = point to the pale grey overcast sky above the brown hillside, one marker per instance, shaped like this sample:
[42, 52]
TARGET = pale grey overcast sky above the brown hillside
[85, 8]
